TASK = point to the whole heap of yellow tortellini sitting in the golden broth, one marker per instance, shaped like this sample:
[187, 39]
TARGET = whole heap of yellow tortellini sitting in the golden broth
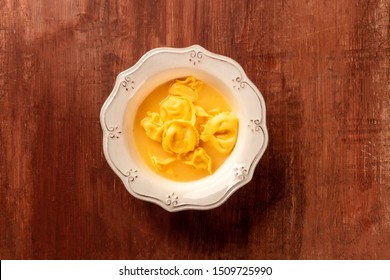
[183, 127]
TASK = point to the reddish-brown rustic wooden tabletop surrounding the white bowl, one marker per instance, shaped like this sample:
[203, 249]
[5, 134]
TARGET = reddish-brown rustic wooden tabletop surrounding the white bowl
[321, 191]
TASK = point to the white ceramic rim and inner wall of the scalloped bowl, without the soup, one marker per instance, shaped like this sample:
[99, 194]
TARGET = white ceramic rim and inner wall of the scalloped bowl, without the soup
[133, 85]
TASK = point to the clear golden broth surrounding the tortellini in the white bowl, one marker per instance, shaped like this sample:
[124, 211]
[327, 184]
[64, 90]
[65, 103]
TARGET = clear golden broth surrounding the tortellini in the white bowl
[208, 98]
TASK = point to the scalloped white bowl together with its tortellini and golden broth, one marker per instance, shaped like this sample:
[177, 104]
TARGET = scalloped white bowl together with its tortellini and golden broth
[184, 128]
